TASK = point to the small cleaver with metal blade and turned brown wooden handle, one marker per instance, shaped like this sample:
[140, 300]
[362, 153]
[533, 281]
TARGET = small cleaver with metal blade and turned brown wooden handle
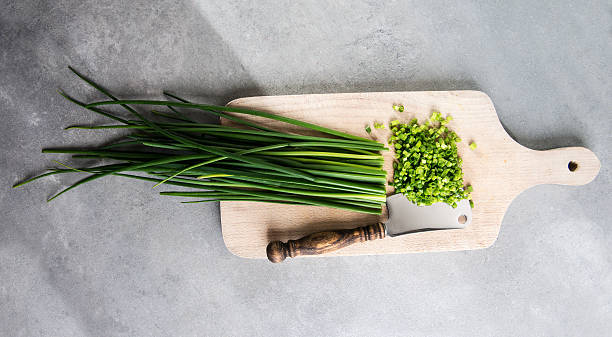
[405, 217]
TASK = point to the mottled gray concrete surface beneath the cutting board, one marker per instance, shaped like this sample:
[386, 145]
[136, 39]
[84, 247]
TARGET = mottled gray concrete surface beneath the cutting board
[116, 259]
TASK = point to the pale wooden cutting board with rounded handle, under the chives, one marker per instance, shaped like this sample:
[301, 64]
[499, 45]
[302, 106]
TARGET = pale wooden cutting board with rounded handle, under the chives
[499, 169]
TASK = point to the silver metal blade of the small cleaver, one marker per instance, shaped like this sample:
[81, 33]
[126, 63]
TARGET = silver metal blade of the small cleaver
[406, 217]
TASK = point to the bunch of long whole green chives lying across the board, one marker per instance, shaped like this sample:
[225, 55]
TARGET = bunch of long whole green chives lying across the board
[223, 163]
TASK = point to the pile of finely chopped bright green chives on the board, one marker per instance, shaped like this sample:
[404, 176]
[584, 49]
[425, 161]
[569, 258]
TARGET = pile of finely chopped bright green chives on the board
[427, 168]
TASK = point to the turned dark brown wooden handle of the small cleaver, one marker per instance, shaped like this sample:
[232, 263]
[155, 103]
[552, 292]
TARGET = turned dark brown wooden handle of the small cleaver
[323, 242]
